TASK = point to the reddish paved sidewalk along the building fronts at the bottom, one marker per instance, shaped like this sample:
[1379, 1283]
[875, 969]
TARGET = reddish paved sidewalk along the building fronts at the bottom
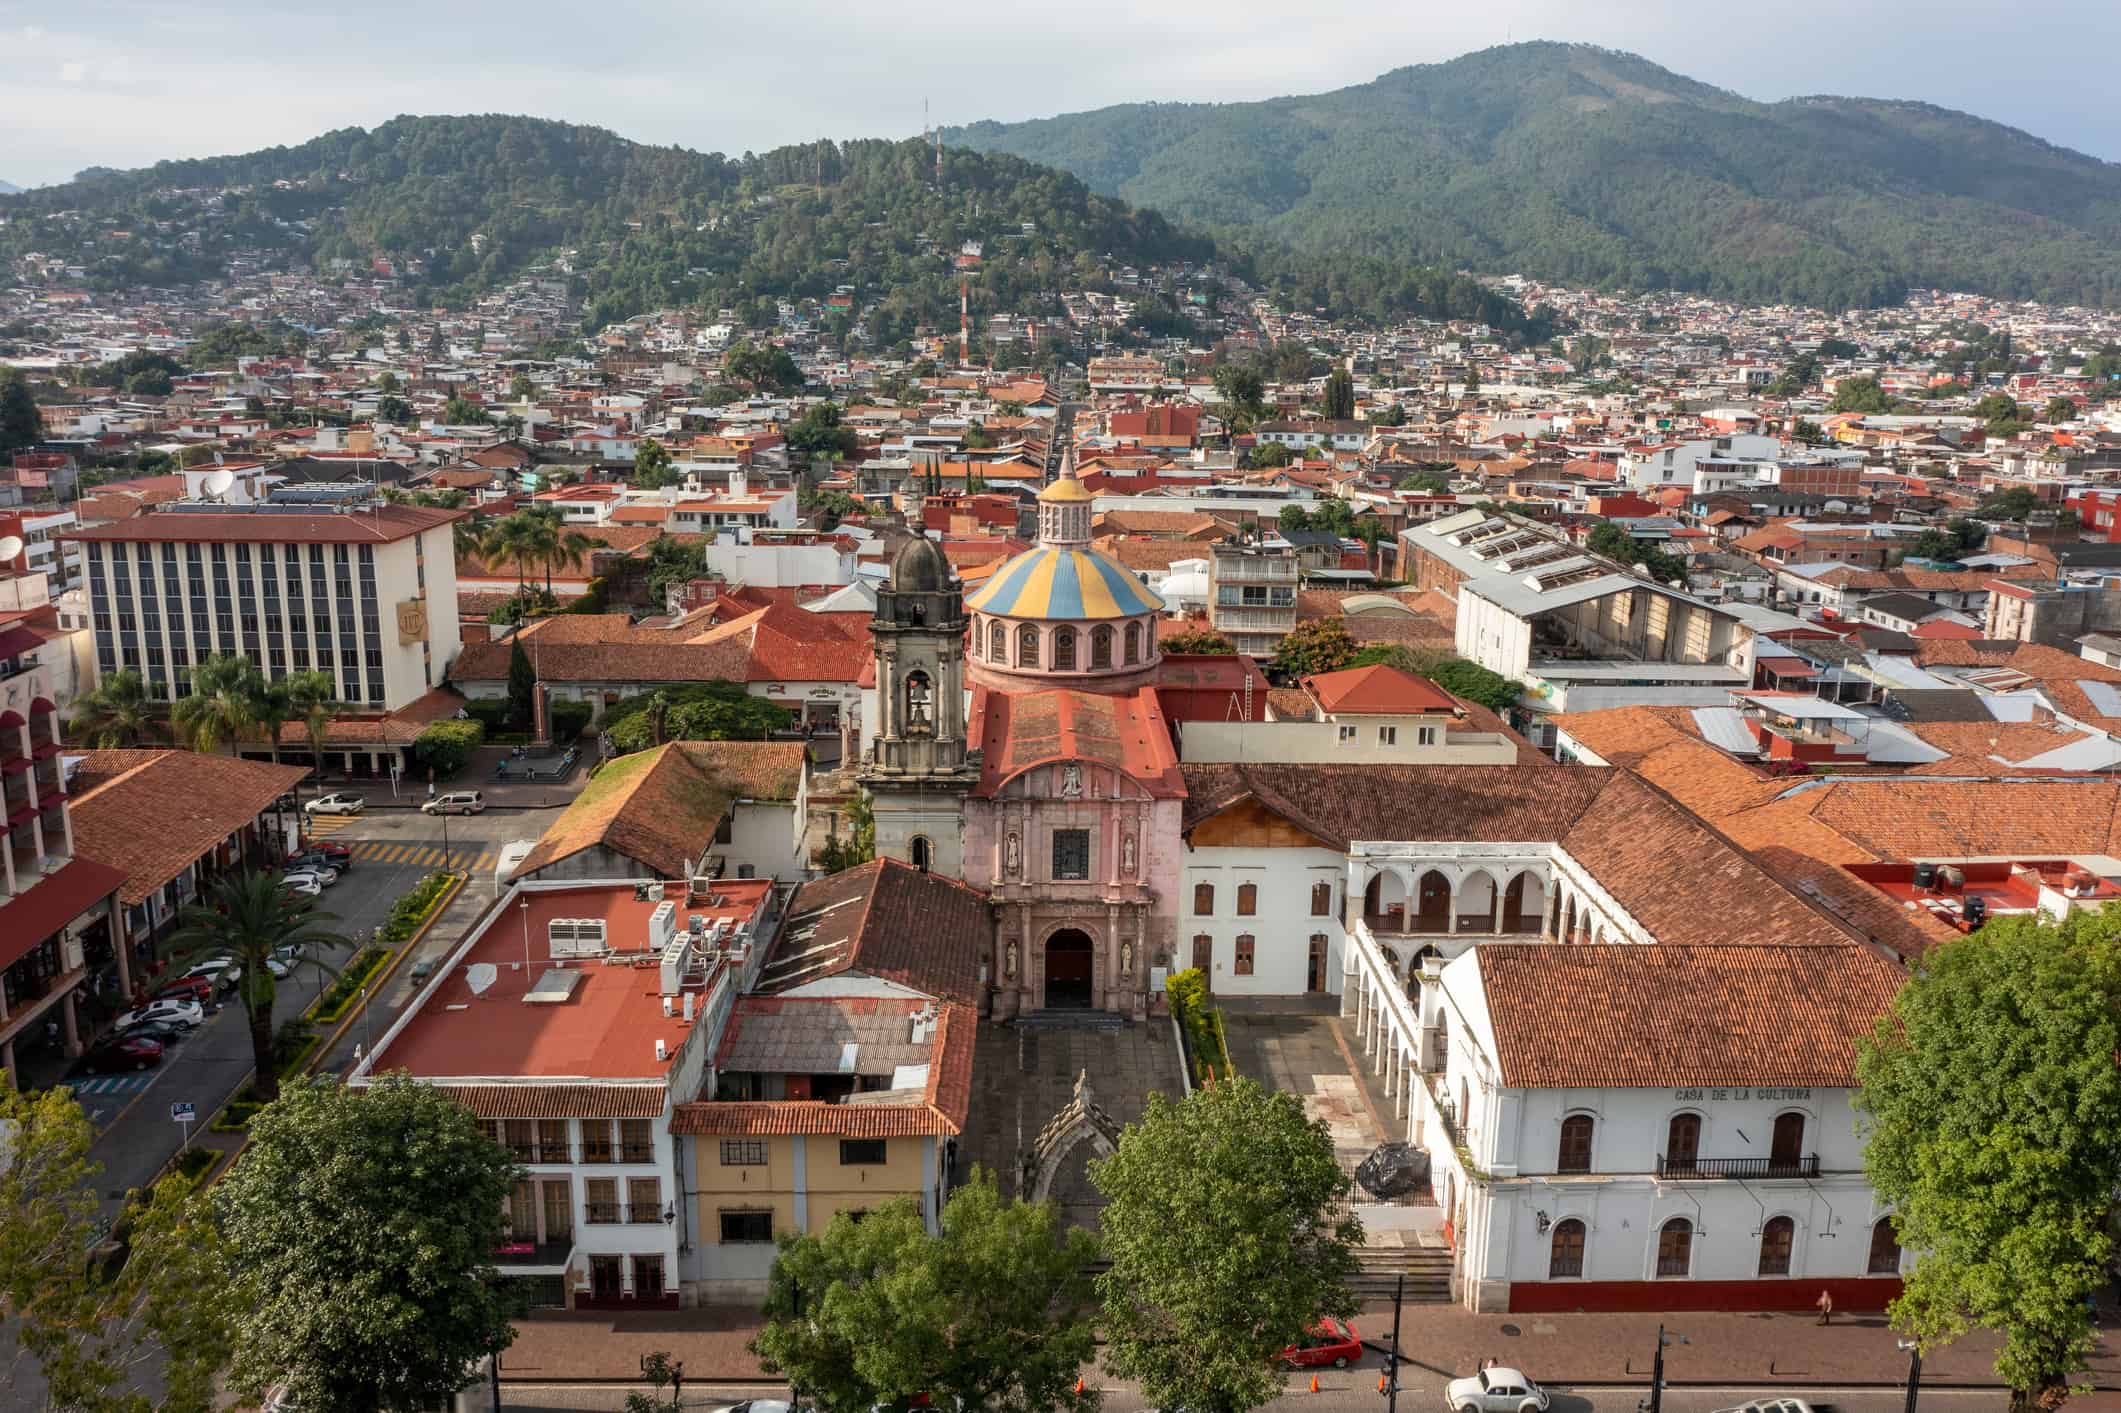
[1445, 1340]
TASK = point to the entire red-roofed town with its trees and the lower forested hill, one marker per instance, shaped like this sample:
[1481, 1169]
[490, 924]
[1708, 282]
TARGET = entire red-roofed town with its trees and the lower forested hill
[871, 778]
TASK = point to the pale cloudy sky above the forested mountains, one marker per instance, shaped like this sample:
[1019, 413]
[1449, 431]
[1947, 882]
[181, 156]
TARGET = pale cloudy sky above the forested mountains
[135, 82]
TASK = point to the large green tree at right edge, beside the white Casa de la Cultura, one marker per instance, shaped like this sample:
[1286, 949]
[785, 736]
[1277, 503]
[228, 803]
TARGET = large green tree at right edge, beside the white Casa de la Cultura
[1993, 1111]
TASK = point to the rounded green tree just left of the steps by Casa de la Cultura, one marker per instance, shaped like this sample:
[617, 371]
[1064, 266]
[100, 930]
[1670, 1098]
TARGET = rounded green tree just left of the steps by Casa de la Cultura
[1227, 1240]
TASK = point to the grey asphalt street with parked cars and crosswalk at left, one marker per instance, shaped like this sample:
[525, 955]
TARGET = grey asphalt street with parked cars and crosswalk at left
[393, 850]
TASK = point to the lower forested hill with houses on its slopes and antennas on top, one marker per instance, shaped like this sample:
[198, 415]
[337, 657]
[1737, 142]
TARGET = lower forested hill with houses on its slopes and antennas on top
[461, 205]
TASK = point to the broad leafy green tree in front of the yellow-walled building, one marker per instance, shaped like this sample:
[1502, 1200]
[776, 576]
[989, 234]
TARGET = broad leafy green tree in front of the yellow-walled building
[994, 1312]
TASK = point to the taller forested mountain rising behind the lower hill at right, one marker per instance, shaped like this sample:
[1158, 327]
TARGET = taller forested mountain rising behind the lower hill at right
[1602, 169]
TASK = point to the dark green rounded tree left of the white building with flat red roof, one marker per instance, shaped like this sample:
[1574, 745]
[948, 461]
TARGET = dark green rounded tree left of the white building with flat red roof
[362, 1229]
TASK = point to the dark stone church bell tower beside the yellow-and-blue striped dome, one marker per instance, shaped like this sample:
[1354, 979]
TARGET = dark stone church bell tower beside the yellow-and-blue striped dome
[919, 767]
